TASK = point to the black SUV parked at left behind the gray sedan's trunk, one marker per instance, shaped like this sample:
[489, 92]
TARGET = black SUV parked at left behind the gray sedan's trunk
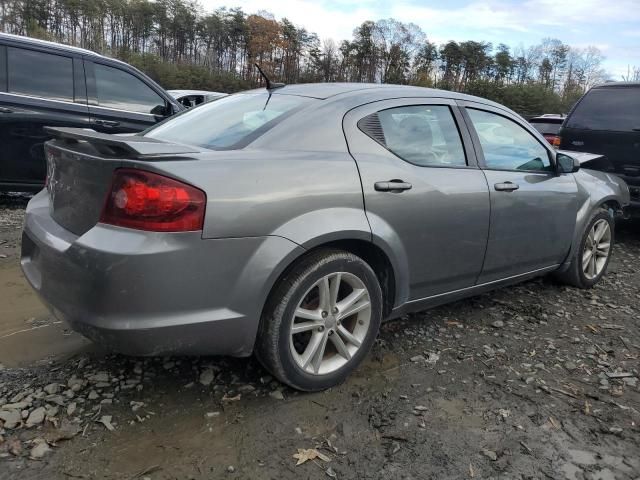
[47, 84]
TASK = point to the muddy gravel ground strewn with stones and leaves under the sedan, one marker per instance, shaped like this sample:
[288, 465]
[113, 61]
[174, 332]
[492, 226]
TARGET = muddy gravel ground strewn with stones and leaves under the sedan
[533, 381]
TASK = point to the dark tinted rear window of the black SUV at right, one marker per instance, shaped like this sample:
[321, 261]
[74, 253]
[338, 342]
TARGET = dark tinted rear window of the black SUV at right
[615, 109]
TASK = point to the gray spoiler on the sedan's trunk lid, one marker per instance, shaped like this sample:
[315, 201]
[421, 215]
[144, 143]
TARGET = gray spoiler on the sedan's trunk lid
[134, 146]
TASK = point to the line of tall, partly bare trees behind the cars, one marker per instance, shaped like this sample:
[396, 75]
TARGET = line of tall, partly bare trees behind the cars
[181, 45]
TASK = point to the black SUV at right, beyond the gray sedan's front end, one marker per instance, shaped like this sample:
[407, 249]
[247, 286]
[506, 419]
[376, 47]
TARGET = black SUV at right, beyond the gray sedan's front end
[606, 120]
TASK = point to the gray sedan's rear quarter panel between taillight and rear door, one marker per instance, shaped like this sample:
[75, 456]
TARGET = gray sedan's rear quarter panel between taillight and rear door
[307, 197]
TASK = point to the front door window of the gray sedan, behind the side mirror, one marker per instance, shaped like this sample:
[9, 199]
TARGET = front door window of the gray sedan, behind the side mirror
[506, 145]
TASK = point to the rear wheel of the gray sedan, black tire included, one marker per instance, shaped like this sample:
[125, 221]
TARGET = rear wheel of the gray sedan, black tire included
[321, 320]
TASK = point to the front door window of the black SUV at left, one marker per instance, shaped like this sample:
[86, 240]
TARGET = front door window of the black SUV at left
[121, 90]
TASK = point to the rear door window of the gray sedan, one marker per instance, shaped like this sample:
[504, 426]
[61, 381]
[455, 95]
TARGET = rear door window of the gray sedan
[425, 135]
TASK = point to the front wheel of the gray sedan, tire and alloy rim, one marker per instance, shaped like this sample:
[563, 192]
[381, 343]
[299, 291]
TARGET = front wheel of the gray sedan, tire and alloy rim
[591, 257]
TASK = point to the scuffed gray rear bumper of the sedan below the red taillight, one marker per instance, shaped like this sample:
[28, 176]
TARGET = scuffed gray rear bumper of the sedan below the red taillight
[148, 293]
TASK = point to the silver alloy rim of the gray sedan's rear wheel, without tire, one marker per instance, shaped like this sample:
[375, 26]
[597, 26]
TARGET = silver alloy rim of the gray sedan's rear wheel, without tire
[330, 323]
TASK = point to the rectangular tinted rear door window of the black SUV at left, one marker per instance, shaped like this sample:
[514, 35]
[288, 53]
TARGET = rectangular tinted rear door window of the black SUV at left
[40, 74]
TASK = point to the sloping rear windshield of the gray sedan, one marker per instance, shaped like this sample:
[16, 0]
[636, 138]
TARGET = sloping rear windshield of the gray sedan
[231, 122]
